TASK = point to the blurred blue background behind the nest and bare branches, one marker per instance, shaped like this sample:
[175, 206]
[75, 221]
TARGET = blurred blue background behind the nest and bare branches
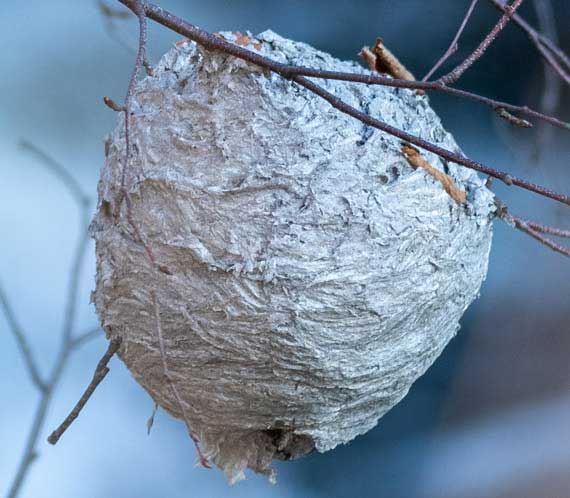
[489, 419]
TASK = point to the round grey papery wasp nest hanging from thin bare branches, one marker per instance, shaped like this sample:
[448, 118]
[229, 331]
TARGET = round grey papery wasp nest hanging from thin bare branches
[315, 274]
